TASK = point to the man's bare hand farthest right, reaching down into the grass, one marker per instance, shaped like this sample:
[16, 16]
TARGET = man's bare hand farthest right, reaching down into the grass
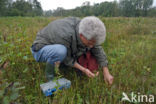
[107, 76]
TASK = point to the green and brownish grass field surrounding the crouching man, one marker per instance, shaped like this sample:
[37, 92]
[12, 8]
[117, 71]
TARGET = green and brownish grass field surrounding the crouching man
[129, 47]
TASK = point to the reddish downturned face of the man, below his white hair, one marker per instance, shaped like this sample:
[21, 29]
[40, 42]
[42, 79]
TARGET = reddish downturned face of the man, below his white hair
[88, 43]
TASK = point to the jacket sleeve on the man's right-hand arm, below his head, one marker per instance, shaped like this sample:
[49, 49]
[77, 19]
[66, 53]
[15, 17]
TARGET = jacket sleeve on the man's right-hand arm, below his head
[100, 56]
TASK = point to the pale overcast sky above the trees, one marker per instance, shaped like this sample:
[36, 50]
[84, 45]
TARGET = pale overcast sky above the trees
[68, 4]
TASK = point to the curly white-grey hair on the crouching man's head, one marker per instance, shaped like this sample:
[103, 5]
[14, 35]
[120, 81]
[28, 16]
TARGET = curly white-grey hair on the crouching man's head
[93, 28]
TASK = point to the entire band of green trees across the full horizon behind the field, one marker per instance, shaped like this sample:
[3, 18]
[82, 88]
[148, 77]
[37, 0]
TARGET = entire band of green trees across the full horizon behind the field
[127, 8]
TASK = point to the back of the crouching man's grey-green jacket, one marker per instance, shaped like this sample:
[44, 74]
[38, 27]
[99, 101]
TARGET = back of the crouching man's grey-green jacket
[57, 32]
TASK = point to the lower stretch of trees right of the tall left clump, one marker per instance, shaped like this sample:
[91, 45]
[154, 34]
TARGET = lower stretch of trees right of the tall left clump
[127, 8]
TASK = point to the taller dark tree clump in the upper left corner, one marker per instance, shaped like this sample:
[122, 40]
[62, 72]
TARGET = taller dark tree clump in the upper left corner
[20, 8]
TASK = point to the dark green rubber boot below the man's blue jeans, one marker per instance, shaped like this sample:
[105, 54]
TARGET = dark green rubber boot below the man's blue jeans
[49, 71]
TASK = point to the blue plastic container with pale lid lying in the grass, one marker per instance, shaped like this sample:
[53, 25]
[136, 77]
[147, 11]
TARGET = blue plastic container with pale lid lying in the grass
[52, 86]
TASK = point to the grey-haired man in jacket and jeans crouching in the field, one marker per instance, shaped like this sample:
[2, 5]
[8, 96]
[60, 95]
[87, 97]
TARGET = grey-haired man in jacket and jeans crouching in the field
[65, 40]
